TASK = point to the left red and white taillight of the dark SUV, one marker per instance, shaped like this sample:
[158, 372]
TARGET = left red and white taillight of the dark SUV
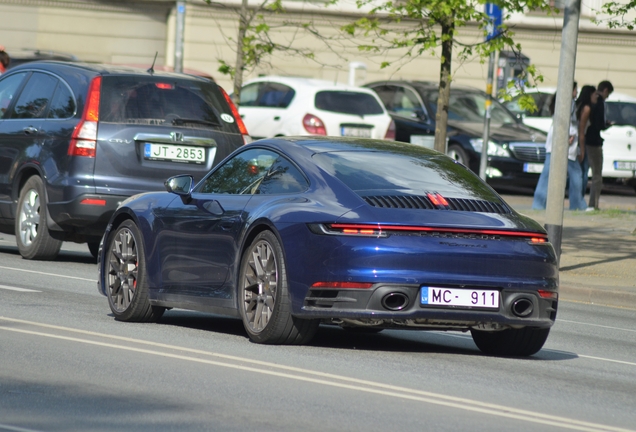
[84, 138]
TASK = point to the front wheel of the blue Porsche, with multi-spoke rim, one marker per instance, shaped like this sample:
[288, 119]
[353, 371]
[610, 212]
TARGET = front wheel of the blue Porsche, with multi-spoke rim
[126, 277]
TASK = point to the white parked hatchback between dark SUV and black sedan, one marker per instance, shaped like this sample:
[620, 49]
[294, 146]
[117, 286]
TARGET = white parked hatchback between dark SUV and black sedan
[282, 106]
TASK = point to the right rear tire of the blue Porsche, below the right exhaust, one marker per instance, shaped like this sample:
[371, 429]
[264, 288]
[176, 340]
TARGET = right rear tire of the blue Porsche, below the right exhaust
[511, 342]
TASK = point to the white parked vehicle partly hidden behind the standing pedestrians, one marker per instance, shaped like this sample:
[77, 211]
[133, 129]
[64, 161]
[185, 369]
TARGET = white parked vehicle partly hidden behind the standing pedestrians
[619, 146]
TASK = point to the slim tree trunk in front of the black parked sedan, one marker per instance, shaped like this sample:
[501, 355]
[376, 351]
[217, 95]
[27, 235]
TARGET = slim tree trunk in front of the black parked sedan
[441, 116]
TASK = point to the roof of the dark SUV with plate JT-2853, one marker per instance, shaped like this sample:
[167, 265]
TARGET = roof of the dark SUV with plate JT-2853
[100, 69]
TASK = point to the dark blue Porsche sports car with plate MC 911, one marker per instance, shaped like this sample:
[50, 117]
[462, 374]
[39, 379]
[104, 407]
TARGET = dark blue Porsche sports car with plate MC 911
[288, 233]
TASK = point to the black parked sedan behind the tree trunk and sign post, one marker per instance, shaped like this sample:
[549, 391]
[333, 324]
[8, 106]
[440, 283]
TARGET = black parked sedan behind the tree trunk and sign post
[515, 152]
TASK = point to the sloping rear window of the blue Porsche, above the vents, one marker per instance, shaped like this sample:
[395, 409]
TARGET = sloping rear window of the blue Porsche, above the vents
[408, 170]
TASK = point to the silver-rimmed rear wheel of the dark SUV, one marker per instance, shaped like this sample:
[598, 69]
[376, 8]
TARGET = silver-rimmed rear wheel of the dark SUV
[32, 235]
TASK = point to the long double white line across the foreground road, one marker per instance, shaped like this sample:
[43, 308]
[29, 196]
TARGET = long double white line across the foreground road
[322, 378]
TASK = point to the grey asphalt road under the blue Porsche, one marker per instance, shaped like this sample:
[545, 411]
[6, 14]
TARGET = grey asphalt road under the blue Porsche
[67, 365]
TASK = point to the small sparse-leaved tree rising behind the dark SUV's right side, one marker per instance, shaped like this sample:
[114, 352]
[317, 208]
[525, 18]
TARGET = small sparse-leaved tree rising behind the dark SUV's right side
[253, 43]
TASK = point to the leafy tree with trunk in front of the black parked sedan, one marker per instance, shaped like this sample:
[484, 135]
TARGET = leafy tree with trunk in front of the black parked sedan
[418, 27]
